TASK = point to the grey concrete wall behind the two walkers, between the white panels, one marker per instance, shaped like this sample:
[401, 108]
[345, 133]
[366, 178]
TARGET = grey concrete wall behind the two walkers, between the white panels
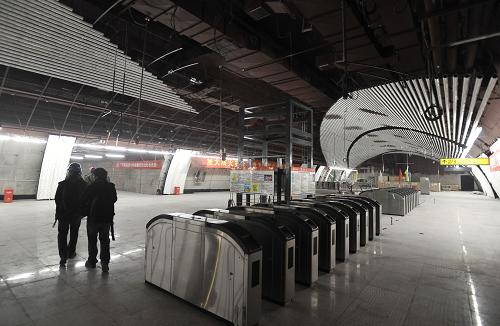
[140, 181]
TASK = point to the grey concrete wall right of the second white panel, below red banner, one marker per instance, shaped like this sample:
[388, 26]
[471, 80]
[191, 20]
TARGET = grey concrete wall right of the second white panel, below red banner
[209, 179]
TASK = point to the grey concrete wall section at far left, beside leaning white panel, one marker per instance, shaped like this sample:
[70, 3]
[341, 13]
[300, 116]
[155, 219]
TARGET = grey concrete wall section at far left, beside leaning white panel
[20, 165]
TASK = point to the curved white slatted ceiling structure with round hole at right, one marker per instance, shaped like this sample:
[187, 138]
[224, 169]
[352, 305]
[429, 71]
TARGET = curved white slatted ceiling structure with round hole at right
[391, 117]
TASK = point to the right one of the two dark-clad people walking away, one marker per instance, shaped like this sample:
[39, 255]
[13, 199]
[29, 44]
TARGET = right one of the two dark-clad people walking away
[99, 202]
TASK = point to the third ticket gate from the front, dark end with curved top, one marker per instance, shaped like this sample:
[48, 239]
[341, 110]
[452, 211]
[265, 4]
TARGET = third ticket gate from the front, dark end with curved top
[306, 239]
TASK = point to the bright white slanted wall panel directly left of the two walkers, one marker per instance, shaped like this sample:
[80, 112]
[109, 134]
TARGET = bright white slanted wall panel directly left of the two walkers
[54, 165]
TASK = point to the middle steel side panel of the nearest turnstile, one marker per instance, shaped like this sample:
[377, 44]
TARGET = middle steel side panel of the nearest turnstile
[186, 277]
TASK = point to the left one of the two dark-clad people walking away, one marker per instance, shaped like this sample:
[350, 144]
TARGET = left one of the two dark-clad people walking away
[68, 211]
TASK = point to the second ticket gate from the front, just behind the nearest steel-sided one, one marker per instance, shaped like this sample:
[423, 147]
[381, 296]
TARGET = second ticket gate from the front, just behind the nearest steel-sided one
[278, 251]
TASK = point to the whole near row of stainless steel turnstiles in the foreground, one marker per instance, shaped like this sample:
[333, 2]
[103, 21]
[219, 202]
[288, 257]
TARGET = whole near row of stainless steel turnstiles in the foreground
[226, 260]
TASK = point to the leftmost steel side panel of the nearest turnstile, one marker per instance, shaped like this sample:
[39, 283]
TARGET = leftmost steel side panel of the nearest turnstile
[158, 269]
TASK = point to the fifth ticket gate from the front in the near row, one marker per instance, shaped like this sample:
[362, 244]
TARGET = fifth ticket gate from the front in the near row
[341, 224]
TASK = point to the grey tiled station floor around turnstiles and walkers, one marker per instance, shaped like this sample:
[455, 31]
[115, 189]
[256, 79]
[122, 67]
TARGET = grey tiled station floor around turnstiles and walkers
[439, 265]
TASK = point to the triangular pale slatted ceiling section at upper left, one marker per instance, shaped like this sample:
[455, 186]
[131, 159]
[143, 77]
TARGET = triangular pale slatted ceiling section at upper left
[46, 37]
